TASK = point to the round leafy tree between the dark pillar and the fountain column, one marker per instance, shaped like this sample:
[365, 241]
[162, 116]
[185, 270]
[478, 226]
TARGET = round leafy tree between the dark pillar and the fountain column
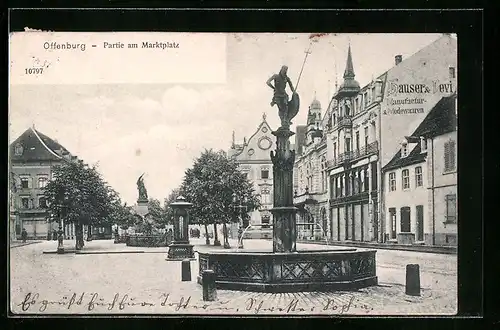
[211, 184]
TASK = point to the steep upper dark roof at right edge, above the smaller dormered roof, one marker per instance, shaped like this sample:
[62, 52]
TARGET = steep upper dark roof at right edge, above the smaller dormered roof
[440, 120]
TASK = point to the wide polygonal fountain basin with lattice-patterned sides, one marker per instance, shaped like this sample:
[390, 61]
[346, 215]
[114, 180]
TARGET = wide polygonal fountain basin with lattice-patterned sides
[322, 270]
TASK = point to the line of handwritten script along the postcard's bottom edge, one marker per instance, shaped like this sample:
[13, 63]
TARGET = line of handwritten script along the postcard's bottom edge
[95, 302]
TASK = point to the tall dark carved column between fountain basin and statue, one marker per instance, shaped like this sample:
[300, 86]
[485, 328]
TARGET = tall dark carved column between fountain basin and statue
[284, 213]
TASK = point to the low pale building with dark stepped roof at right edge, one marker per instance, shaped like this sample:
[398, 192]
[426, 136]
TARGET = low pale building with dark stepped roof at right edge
[421, 181]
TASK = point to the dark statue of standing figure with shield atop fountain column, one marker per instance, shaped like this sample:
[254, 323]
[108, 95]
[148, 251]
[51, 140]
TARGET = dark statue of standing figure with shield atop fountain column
[287, 109]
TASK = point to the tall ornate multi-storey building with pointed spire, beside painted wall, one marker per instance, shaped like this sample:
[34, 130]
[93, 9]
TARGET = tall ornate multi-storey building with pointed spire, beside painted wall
[353, 161]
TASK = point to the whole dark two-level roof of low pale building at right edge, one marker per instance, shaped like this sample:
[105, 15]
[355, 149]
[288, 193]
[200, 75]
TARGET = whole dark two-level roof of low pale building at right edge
[440, 120]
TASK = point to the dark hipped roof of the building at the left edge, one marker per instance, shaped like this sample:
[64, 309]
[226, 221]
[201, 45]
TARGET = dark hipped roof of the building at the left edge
[36, 146]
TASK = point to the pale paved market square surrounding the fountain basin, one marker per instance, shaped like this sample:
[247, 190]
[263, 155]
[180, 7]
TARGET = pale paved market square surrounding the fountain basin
[145, 283]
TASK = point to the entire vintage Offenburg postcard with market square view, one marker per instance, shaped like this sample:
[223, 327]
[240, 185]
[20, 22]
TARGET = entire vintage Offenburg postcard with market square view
[276, 174]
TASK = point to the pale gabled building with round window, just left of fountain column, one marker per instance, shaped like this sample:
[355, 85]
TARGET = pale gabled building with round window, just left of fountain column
[254, 160]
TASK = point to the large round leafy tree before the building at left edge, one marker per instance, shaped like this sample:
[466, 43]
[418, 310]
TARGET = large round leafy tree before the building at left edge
[79, 195]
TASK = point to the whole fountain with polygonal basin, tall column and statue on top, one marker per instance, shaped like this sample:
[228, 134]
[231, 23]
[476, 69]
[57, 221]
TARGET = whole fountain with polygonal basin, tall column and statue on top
[285, 269]
